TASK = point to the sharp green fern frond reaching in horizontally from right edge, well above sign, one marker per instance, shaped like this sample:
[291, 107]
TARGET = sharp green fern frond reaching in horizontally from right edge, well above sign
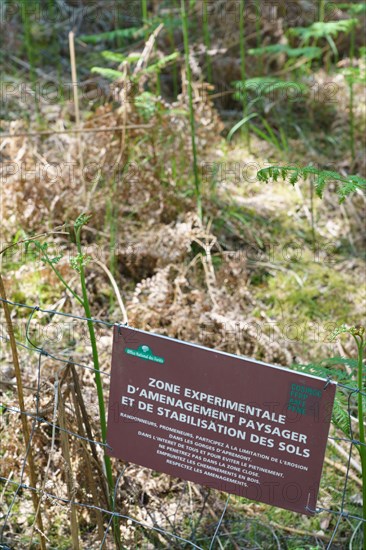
[293, 174]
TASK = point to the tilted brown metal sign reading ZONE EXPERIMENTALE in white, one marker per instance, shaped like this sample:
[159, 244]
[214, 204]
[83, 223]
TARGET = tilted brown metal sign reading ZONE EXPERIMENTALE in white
[230, 423]
